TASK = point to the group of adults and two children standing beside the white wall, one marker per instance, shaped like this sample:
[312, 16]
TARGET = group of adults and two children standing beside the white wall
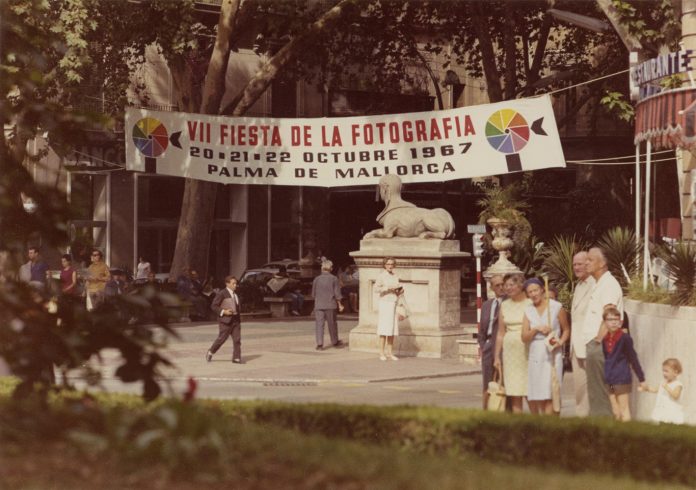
[522, 333]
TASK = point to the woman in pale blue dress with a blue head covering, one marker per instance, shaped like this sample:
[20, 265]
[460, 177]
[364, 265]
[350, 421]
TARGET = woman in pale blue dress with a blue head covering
[542, 361]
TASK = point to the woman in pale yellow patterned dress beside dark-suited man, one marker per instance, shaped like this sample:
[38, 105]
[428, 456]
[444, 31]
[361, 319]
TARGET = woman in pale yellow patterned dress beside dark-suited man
[509, 341]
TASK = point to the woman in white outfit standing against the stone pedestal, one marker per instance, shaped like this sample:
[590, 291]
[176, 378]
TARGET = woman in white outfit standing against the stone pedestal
[387, 286]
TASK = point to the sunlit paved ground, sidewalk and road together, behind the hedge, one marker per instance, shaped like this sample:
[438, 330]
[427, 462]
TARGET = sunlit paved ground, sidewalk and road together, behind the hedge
[281, 363]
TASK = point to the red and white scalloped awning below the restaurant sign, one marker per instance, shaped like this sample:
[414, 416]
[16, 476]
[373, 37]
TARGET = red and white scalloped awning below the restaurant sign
[668, 119]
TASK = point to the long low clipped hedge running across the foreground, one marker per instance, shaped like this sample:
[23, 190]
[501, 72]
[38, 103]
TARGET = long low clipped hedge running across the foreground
[635, 449]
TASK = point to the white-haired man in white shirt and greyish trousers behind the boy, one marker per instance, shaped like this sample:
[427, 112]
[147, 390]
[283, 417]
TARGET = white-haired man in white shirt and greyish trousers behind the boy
[606, 291]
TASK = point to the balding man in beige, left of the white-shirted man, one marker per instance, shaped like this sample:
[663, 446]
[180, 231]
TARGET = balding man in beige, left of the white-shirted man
[581, 298]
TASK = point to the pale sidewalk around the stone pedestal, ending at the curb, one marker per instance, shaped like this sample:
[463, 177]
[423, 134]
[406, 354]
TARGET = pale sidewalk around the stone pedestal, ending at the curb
[283, 351]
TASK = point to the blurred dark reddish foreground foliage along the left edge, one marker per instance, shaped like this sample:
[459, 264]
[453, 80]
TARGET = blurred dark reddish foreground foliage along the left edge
[44, 47]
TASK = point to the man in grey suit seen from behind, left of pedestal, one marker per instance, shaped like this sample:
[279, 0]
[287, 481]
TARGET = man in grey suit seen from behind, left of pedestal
[327, 298]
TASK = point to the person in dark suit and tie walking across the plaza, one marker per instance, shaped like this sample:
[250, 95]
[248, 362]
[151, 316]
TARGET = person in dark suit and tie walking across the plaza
[226, 308]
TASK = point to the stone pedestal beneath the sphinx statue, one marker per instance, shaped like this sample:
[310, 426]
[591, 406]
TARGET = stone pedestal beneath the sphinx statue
[430, 272]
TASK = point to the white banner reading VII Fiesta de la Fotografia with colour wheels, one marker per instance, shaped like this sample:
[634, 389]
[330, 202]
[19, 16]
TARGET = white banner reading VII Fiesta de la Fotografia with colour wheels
[475, 141]
